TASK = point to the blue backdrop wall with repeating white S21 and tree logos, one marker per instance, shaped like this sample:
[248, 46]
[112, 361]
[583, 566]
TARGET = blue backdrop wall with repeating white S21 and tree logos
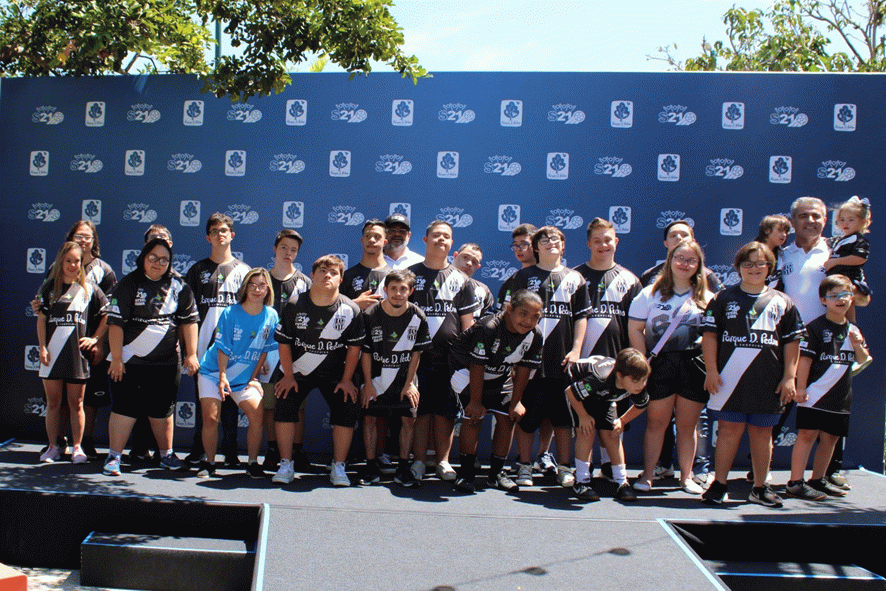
[484, 151]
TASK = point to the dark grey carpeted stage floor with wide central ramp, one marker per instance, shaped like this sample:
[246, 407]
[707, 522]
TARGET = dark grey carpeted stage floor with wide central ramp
[387, 537]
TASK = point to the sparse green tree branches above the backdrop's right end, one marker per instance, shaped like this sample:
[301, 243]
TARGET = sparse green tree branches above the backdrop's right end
[795, 36]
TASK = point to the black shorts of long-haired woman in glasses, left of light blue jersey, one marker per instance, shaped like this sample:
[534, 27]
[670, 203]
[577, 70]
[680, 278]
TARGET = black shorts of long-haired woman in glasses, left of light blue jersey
[146, 390]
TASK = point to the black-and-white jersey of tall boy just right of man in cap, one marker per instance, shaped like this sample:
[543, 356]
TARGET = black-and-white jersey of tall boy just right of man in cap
[444, 295]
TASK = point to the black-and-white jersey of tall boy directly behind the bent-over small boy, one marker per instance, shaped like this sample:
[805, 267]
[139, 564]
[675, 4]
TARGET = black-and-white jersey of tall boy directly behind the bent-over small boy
[610, 294]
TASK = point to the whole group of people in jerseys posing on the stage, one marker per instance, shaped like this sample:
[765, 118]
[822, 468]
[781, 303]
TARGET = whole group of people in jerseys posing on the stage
[408, 343]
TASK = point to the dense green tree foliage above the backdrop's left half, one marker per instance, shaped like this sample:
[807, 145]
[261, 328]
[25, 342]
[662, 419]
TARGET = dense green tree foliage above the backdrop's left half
[93, 37]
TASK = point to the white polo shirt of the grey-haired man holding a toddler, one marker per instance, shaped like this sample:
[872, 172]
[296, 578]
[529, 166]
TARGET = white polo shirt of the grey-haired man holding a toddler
[801, 274]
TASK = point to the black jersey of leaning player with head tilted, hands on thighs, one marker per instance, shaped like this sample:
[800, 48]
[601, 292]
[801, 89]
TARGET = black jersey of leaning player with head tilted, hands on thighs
[489, 343]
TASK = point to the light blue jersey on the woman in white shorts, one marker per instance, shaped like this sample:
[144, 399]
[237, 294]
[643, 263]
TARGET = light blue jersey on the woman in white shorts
[243, 338]
